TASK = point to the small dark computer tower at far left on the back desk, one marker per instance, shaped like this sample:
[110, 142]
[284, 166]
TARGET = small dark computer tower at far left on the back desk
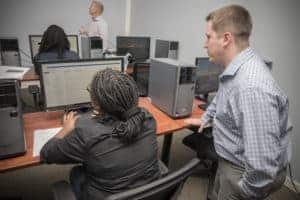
[9, 50]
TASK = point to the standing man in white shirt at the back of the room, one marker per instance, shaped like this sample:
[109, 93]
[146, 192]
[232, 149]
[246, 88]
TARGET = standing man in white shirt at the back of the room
[98, 26]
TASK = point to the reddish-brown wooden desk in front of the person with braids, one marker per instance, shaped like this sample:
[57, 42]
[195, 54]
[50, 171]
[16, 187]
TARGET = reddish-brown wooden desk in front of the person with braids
[45, 120]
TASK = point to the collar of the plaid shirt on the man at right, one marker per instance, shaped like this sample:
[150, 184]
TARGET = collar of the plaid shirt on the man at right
[237, 62]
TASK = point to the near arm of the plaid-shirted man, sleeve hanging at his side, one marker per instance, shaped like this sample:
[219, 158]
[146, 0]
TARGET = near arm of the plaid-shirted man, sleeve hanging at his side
[263, 152]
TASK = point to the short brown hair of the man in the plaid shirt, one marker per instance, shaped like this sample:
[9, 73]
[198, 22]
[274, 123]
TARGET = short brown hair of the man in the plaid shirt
[233, 18]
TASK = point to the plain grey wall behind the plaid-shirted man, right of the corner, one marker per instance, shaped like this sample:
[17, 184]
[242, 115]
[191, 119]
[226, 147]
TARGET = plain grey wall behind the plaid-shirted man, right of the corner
[275, 36]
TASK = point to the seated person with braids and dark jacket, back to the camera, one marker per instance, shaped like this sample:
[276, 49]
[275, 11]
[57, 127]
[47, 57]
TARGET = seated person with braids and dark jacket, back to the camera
[116, 145]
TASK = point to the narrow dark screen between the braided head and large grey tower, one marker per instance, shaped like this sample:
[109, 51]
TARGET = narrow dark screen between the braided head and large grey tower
[141, 77]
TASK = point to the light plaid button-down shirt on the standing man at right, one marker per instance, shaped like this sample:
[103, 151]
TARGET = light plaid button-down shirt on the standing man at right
[250, 120]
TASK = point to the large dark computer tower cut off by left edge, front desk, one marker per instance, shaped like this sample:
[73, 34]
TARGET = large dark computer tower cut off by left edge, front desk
[12, 141]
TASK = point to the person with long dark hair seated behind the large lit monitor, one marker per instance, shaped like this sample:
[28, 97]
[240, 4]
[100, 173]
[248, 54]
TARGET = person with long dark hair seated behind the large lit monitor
[55, 46]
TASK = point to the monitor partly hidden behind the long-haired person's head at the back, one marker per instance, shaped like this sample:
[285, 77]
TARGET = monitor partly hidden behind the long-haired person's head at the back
[35, 40]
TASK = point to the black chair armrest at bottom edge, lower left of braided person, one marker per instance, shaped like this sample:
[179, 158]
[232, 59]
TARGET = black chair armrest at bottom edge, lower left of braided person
[62, 191]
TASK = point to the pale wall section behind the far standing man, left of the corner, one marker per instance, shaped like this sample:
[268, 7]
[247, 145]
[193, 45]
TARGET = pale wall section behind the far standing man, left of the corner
[21, 18]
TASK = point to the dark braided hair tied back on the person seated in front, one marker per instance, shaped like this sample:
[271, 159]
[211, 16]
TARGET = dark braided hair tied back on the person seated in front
[116, 94]
